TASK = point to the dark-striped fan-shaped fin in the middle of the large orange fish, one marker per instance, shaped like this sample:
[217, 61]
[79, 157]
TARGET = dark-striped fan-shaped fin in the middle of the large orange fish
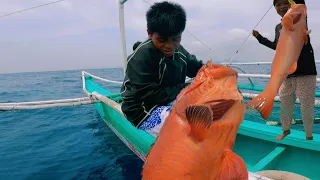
[200, 119]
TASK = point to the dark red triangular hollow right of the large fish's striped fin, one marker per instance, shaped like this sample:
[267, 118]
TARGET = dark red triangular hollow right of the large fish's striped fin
[220, 107]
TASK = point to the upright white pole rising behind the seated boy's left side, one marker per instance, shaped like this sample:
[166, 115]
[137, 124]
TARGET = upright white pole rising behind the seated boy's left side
[122, 34]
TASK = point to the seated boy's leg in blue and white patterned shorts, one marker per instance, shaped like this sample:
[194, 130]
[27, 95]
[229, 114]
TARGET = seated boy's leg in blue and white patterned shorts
[155, 121]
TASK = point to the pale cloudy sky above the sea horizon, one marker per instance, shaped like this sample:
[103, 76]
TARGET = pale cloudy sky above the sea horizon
[85, 34]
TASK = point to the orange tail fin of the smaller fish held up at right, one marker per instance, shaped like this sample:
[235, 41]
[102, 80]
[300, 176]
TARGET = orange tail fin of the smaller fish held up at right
[263, 103]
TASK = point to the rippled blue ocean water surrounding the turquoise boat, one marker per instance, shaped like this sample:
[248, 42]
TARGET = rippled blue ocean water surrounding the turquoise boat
[71, 142]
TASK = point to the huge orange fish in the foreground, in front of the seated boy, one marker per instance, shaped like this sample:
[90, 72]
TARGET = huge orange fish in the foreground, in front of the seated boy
[197, 137]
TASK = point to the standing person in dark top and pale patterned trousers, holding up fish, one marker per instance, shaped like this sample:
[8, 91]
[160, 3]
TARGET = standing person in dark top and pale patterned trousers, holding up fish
[301, 84]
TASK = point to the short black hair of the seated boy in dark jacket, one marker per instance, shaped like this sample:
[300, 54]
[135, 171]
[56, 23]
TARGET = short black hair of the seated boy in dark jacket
[166, 18]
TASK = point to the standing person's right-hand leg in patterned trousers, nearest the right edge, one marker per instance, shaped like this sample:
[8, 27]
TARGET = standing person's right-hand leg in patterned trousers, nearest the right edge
[306, 88]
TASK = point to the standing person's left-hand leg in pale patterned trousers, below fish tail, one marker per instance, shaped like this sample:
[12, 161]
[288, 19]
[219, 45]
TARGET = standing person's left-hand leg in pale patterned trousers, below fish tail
[287, 100]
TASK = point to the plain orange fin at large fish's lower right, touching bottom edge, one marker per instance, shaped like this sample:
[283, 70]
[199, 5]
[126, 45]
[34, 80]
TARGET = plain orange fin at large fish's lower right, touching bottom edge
[232, 167]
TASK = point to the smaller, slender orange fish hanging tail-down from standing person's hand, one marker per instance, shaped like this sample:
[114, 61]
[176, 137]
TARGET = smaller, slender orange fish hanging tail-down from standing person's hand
[292, 38]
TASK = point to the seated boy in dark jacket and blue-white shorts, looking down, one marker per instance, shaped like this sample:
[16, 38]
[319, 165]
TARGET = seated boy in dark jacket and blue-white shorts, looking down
[157, 69]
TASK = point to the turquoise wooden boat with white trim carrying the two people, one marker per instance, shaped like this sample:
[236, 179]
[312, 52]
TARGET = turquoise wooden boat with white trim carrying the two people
[255, 141]
